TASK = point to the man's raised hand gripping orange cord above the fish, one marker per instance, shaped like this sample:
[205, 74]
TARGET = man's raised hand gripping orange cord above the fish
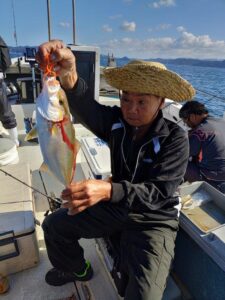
[64, 60]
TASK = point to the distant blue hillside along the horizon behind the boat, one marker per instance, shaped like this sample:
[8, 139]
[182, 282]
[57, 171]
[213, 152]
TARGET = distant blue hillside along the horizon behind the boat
[19, 51]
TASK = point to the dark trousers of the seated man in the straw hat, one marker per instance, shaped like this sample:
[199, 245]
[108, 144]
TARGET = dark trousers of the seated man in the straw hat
[146, 254]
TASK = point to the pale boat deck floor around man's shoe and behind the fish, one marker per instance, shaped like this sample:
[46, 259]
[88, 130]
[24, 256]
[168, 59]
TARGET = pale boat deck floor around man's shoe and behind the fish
[30, 283]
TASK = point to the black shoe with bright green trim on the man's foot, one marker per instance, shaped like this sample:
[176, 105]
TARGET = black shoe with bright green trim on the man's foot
[57, 277]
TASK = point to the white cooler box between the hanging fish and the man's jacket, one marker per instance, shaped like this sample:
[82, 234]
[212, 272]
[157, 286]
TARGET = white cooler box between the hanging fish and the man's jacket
[95, 159]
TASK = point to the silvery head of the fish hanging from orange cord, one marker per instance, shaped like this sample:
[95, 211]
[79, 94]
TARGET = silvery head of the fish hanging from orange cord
[52, 103]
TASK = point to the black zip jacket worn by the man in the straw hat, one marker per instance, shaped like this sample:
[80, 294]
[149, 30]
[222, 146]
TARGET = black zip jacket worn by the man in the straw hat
[149, 189]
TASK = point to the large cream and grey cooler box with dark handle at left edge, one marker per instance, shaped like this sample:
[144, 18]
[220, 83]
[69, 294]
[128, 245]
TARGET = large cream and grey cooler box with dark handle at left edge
[18, 242]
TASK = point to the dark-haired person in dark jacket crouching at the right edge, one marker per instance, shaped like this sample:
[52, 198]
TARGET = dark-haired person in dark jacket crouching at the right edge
[207, 145]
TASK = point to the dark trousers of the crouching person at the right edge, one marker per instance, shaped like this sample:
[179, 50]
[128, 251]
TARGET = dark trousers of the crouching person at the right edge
[193, 173]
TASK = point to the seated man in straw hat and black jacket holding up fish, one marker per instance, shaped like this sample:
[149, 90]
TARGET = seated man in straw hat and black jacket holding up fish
[149, 156]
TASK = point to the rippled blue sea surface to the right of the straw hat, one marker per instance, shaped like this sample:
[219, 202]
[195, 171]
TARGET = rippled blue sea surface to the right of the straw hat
[208, 80]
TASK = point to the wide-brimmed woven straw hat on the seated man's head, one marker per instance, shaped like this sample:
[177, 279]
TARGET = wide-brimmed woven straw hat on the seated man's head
[151, 78]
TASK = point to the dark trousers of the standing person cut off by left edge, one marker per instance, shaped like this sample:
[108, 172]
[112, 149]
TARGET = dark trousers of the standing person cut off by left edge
[7, 117]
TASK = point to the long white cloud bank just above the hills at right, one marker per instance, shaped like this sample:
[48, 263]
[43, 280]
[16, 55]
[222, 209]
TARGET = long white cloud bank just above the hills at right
[185, 45]
